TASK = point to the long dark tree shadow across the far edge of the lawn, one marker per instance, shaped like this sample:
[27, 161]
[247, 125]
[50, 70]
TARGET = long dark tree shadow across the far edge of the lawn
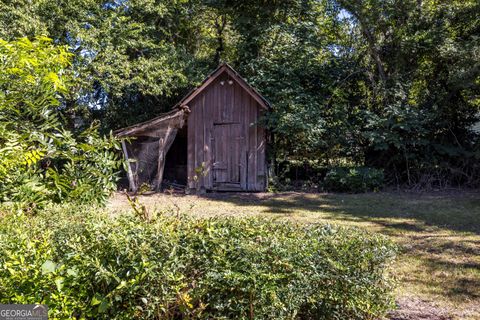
[454, 212]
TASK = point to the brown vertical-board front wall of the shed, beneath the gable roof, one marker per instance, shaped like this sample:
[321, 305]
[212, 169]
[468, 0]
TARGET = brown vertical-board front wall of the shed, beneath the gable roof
[223, 135]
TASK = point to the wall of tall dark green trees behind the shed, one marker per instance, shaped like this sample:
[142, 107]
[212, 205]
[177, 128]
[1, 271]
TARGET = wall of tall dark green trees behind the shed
[392, 84]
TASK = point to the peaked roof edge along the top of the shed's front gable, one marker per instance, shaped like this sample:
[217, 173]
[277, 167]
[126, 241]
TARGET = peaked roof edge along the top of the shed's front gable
[224, 67]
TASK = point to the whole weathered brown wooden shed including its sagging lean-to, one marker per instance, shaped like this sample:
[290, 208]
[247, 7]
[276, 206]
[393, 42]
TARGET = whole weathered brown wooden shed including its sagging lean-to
[211, 140]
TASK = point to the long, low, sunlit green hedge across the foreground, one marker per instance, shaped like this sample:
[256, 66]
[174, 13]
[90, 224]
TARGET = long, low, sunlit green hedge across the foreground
[83, 263]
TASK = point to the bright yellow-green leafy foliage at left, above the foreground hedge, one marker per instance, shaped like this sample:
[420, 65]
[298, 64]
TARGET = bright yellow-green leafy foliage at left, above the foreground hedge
[41, 160]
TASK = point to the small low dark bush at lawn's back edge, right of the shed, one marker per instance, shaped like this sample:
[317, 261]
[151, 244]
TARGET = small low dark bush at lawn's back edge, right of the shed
[361, 179]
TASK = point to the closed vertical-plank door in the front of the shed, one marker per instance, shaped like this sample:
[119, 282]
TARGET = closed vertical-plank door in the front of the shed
[227, 160]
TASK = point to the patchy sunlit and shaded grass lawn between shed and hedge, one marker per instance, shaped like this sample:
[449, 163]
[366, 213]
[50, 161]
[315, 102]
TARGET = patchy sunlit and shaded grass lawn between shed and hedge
[439, 233]
